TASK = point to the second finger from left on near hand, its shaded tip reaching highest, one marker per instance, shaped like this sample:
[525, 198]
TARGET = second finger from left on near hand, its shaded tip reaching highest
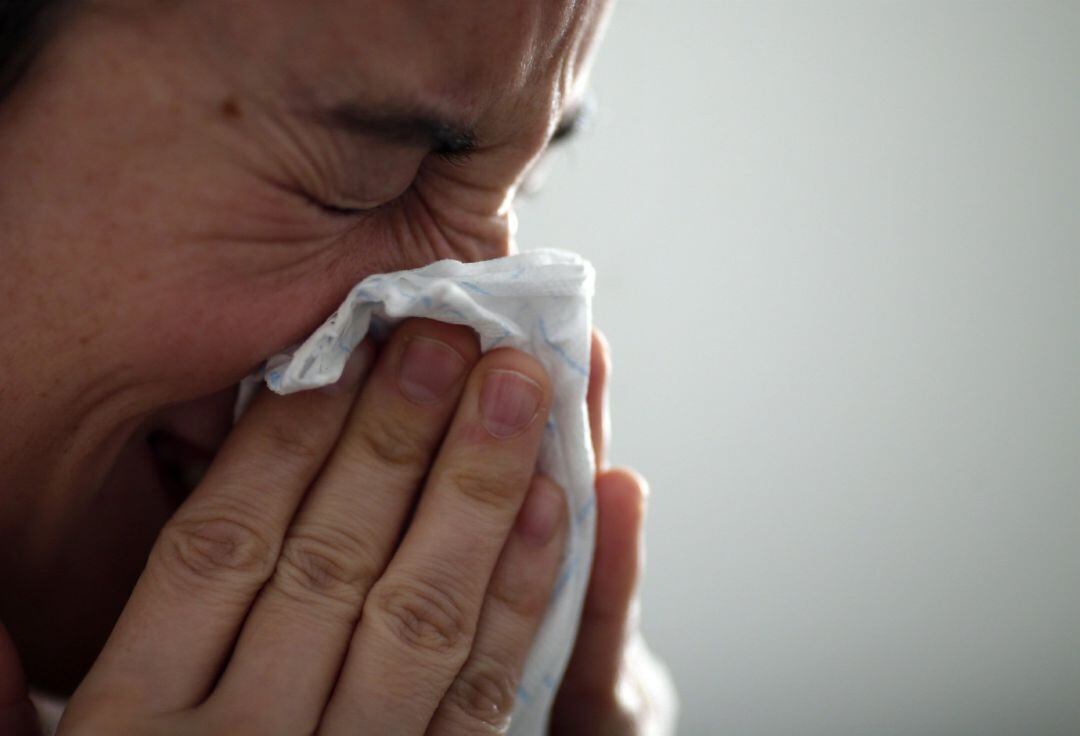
[295, 638]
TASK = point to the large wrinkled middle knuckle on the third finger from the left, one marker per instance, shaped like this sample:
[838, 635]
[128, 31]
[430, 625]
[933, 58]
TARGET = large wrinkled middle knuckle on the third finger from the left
[424, 618]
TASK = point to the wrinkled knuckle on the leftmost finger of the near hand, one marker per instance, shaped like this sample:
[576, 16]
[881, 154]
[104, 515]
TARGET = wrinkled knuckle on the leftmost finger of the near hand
[219, 548]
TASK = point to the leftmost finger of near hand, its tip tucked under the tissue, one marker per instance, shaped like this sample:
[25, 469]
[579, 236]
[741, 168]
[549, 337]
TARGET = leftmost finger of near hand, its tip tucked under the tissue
[219, 550]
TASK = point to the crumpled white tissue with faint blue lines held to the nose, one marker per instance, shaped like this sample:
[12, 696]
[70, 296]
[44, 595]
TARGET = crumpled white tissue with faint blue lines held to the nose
[539, 302]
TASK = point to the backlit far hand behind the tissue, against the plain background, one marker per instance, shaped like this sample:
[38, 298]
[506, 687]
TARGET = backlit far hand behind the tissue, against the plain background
[614, 686]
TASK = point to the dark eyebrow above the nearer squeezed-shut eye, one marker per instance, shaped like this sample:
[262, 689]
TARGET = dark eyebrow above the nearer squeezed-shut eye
[410, 127]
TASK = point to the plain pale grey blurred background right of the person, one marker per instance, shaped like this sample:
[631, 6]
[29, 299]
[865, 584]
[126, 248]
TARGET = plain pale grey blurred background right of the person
[839, 256]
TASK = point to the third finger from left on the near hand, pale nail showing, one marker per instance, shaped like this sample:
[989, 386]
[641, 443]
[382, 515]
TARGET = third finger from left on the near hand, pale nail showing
[418, 623]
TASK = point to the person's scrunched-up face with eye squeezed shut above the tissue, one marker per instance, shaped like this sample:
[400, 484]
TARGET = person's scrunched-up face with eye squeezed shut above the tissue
[194, 186]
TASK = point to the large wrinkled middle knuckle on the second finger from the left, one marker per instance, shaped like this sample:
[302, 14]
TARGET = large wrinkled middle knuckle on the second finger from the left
[329, 564]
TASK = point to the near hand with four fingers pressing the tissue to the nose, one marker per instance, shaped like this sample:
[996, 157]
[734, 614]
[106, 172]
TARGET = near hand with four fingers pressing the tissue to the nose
[299, 591]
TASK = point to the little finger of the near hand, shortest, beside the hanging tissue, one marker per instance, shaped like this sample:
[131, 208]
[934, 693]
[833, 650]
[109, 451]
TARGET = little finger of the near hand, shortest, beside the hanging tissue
[482, 697]
